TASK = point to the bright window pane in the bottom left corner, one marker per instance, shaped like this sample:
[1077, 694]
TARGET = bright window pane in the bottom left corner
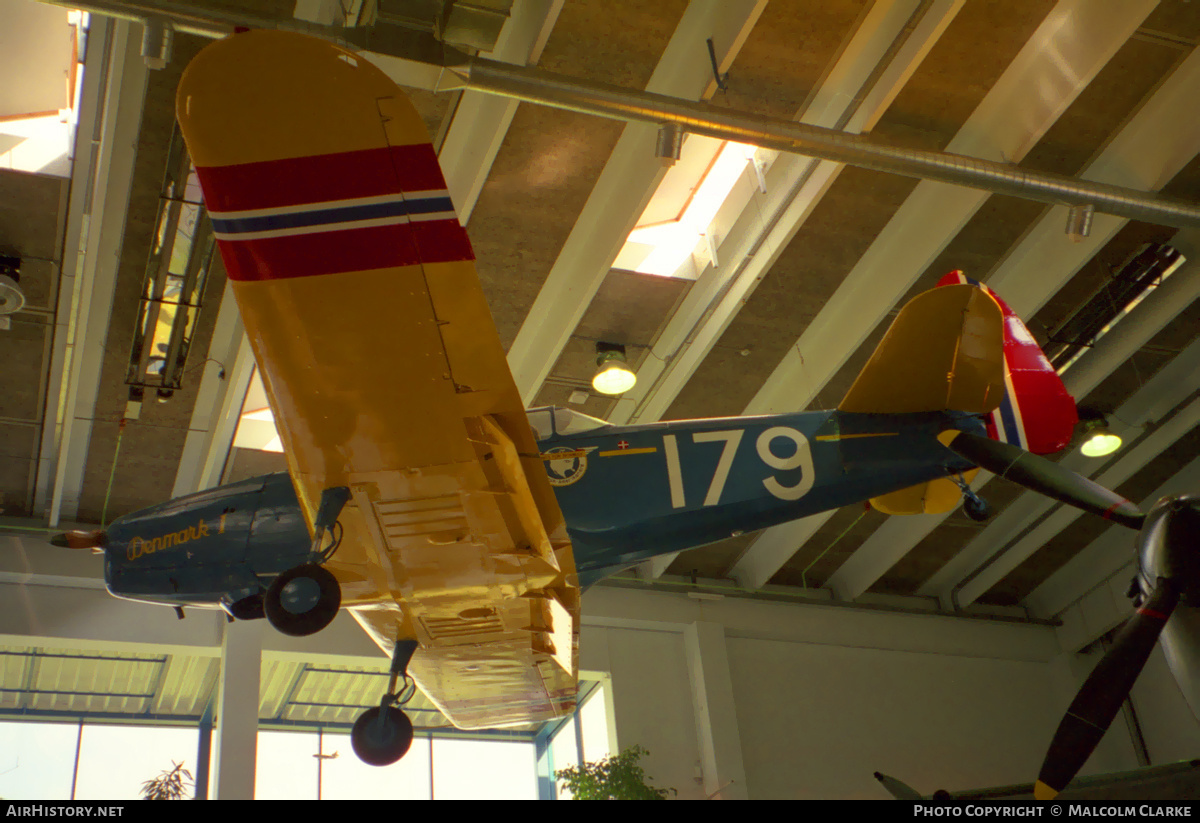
[37, 761]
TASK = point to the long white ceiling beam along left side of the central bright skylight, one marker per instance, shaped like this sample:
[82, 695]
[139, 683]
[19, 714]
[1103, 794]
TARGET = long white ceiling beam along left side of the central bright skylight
[623, 190]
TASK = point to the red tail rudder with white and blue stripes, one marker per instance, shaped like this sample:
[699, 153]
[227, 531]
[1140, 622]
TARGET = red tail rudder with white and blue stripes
[1037, 414]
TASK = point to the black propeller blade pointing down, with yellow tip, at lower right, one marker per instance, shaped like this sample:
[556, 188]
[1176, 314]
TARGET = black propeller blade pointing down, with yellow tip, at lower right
[1106, 689]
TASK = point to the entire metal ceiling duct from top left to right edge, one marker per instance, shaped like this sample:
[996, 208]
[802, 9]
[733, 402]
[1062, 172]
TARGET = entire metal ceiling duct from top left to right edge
[535, 86]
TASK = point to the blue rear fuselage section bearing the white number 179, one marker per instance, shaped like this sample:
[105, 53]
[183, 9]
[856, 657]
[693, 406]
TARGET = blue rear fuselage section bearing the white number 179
[629, 494]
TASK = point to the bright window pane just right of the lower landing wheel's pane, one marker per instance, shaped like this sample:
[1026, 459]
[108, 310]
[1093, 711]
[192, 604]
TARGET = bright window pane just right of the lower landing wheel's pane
[484, 771]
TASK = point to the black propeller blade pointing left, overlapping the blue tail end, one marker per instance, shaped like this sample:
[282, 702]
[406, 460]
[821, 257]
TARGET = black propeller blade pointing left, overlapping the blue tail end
[1045, 477]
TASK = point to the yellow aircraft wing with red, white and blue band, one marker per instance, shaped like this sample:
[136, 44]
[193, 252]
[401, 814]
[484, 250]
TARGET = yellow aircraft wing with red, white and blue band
[358, 291]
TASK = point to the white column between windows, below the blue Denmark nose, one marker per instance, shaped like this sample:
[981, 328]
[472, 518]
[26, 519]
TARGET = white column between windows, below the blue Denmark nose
[237, 735]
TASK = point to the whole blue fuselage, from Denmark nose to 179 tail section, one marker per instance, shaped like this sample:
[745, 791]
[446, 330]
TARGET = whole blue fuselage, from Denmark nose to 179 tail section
[627, 492]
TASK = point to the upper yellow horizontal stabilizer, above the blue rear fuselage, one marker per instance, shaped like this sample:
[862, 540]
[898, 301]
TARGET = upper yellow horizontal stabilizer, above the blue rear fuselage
[945, 351]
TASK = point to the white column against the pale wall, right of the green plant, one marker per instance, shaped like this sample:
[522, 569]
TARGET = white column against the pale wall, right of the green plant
[717, 723]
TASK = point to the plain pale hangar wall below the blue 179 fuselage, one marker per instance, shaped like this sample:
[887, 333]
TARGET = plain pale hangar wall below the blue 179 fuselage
[819, 698]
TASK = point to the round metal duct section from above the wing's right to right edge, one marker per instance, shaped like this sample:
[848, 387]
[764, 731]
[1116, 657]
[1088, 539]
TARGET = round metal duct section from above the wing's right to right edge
[538, 87]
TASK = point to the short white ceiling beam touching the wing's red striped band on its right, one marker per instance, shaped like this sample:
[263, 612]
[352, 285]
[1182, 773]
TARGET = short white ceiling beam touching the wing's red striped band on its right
[481, 121]
